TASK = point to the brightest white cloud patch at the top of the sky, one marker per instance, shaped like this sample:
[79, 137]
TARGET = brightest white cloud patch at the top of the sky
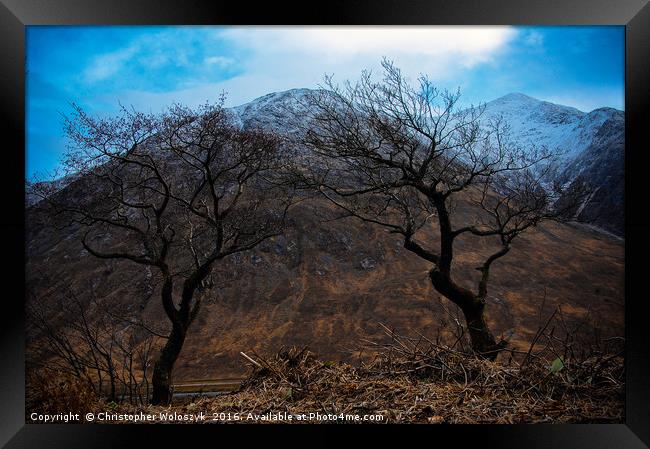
[437, 51]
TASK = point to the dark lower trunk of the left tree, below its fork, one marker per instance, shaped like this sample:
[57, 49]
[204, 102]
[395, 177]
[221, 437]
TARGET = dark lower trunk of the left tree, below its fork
[162, 371]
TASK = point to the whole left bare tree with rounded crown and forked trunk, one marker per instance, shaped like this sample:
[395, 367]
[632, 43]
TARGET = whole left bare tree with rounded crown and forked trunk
[178, 191]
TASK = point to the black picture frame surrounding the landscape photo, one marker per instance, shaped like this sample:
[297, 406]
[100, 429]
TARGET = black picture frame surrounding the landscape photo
[633, 14]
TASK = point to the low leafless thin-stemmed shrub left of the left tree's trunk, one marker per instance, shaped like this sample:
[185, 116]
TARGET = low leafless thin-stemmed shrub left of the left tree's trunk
[110, 352]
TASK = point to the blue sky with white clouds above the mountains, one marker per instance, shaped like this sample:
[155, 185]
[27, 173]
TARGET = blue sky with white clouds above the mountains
[151, 67]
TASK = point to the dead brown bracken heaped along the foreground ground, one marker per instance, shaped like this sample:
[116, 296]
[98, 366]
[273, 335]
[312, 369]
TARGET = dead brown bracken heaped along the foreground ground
[419, 381]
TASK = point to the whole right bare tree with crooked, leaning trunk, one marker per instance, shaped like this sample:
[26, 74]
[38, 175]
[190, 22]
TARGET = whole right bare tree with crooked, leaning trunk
[399, 156]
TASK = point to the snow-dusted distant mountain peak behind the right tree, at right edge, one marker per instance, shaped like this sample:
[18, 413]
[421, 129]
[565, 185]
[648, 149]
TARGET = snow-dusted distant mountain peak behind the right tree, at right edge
[593, 147]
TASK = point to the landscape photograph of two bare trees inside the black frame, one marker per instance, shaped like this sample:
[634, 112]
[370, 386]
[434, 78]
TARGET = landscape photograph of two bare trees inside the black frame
[230, 224]
